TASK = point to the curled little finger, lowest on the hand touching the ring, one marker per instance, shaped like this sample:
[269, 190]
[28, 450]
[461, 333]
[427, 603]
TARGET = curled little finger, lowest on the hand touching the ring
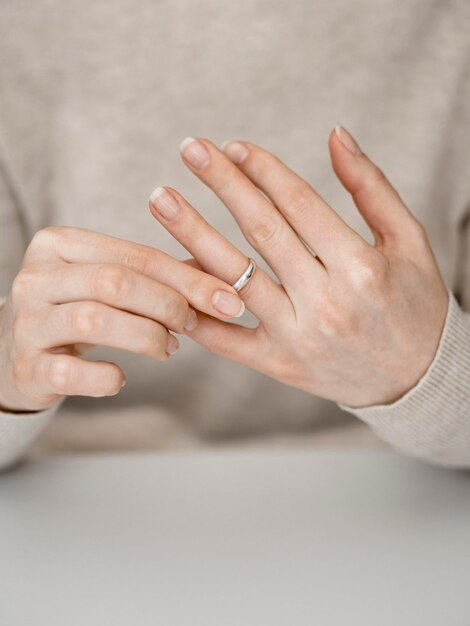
[68, 375]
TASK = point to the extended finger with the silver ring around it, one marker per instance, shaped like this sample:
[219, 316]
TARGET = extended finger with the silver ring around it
[215, 254]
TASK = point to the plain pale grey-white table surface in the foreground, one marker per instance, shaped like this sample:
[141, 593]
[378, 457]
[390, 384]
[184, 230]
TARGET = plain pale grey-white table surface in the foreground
[225, 538]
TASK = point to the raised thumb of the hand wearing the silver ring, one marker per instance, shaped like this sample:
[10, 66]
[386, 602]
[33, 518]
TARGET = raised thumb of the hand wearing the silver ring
[379, 203]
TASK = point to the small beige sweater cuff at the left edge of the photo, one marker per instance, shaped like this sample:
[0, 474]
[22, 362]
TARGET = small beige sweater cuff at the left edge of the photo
[17, 432]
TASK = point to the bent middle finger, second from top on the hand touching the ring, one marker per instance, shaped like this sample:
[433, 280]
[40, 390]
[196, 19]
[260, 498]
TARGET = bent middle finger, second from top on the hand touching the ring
[119, 287]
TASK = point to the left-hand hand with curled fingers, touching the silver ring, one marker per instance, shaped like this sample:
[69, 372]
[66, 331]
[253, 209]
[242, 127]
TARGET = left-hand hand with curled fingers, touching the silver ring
[77, 289]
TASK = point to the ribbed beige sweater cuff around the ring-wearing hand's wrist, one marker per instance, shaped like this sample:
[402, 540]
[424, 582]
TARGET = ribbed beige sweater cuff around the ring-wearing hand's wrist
[432, 420]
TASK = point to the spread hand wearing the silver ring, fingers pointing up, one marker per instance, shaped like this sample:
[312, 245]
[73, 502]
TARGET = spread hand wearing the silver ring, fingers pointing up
[357, 323]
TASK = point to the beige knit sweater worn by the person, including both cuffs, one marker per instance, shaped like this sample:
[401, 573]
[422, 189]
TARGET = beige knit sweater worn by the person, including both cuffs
[94, 99]
